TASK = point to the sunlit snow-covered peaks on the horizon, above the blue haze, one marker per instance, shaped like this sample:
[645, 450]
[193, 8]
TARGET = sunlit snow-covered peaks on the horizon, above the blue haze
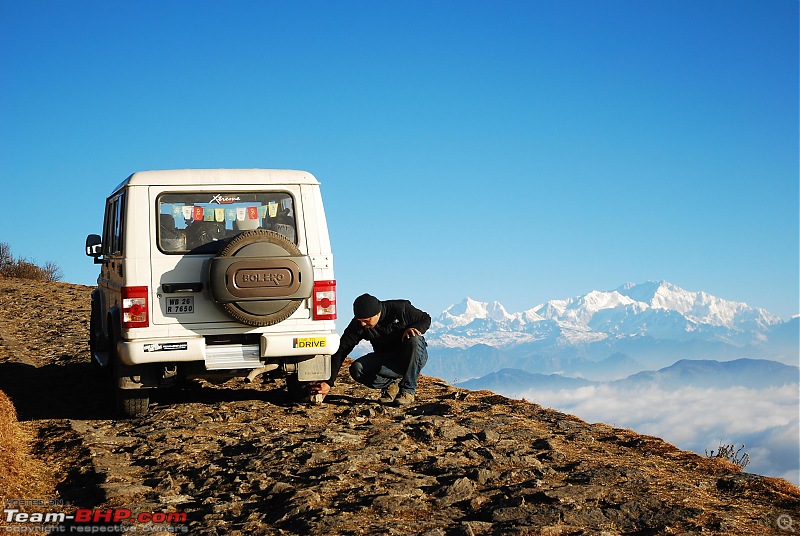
[659, 310]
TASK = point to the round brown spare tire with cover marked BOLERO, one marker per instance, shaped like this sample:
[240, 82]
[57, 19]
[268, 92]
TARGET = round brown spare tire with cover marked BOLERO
[260, 278]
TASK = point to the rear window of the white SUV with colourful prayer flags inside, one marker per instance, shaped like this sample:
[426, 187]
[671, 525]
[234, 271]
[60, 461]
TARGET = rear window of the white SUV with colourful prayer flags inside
[191, 222]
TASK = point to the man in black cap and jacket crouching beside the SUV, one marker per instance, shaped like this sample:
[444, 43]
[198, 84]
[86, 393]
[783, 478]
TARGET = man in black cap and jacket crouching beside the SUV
[394, 328]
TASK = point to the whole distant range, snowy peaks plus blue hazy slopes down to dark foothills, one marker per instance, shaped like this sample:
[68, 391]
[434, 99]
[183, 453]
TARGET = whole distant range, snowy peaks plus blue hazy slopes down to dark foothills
[605, 335]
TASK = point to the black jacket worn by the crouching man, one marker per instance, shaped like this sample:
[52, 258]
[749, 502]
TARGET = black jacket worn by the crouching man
[387, 336]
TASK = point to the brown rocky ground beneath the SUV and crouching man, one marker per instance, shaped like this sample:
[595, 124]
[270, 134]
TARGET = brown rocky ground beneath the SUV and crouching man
[241, 459]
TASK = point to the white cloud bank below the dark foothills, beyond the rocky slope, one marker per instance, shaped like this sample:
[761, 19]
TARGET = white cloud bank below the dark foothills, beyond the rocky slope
[767, 421]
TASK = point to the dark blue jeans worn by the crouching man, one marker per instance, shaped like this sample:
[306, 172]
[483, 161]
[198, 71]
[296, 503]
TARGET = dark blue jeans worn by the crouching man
[378, 369]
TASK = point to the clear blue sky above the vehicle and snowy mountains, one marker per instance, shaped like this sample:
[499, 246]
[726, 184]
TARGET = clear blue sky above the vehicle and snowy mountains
[510, 151]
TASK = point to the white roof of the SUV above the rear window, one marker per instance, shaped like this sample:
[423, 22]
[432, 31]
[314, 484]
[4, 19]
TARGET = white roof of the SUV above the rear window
[184, 177]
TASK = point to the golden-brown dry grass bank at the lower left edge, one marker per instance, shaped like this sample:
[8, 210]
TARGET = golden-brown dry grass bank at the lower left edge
[21, 475]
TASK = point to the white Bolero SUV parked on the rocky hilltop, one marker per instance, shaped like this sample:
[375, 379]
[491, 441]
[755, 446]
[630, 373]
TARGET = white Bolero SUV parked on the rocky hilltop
[212, 273]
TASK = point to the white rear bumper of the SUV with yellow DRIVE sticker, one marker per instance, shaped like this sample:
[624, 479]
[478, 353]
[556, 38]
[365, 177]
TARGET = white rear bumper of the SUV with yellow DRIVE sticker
[272, 348]
